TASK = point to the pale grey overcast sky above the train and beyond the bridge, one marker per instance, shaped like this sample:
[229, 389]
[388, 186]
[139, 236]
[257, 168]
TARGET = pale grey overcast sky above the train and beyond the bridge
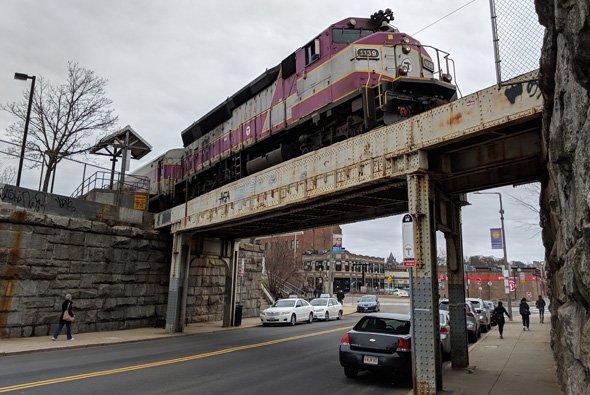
[170, 62]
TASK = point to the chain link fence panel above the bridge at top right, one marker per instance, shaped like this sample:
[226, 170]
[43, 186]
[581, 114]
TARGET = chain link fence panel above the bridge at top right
[518, 37]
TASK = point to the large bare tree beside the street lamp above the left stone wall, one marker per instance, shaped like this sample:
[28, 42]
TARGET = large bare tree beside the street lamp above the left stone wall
[63, 118]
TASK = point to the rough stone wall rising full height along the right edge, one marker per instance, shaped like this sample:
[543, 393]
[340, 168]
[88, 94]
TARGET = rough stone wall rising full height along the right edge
[565, 195]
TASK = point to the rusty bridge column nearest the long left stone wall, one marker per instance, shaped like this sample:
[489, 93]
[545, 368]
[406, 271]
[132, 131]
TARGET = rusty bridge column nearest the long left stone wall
[180, 256]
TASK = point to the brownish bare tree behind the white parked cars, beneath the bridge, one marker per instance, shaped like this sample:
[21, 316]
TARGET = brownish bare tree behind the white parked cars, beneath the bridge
[280, 266]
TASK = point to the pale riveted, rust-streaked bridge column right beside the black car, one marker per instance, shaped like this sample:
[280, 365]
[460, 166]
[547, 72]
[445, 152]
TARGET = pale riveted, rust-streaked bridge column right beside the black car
[425, 336]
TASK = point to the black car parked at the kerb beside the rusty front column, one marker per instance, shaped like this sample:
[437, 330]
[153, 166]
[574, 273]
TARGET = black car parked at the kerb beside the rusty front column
[378, 342]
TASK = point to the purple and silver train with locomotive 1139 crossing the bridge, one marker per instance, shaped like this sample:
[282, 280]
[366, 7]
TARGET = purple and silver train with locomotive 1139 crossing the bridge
[355, 75]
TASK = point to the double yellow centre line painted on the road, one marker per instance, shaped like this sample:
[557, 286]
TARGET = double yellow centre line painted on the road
[18, 387]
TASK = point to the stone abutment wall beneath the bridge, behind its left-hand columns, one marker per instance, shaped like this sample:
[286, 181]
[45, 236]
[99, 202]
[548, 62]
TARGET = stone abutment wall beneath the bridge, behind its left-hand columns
[206, 285]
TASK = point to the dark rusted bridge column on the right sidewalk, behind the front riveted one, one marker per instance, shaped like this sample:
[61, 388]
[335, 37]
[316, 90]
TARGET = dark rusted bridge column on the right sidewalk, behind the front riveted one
[450, 224]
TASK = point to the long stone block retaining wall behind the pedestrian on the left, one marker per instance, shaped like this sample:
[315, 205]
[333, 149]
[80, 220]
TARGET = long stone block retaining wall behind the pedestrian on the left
[117, 275]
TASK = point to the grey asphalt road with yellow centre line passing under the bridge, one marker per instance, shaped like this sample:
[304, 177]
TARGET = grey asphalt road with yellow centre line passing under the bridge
[260, 360]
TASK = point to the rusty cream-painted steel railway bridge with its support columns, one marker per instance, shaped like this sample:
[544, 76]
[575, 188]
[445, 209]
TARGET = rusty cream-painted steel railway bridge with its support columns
[423, 166]
